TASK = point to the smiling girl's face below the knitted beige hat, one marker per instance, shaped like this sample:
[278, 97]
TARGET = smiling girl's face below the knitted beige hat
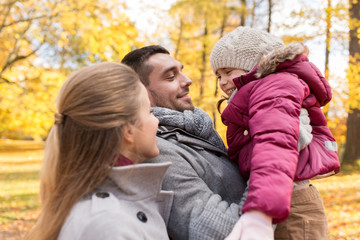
[226, 76]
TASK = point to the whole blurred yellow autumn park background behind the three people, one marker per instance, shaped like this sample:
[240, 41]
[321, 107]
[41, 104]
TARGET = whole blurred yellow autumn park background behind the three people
[43, 41]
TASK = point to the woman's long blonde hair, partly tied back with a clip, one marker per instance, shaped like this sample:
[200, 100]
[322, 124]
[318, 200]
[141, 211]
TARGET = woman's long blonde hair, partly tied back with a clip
[95, 103]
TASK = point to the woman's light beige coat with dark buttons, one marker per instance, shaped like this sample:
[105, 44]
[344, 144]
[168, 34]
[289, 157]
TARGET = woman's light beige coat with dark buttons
[129, 205]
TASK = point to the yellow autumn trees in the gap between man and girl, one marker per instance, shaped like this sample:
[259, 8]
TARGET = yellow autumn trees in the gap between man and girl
[198, 25]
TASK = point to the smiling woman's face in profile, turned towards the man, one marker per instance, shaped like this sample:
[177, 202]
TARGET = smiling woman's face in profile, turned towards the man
[145, 130]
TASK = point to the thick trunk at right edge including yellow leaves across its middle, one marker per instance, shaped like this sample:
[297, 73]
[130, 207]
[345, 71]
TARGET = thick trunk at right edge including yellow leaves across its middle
[352, 149]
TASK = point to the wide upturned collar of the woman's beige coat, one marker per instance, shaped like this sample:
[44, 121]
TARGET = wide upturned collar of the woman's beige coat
[135, 182]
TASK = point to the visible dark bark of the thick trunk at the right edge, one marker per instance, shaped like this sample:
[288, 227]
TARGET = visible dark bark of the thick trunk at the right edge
[352, 146]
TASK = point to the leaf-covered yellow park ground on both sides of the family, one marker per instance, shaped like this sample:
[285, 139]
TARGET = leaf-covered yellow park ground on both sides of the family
[20, 163]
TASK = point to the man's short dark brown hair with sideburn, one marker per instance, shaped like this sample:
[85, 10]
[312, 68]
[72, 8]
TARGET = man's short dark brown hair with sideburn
[137, 58]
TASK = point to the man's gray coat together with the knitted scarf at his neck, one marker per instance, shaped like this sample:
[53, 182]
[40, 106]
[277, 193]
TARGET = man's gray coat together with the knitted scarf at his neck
[207, 186]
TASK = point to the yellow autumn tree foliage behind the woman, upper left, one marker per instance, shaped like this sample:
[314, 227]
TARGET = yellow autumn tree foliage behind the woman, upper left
[42, 42]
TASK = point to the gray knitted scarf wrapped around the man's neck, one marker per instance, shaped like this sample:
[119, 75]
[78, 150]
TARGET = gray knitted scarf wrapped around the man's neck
[195, 122]
